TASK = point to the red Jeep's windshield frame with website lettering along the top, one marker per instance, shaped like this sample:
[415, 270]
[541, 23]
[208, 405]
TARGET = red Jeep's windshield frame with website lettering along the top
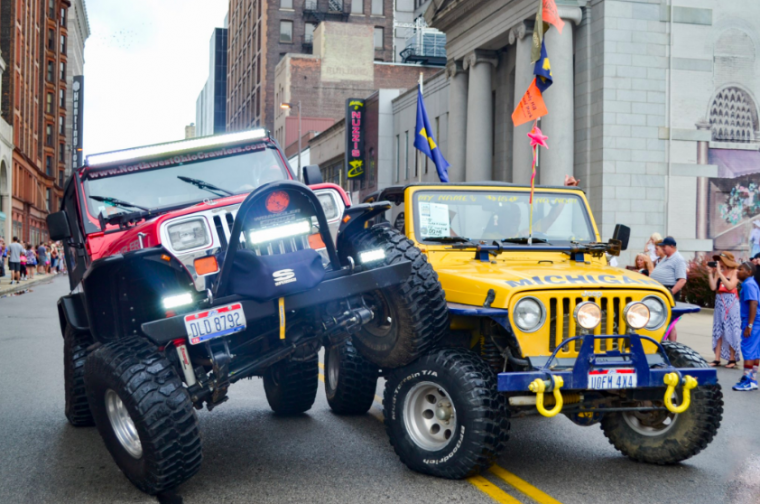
[91, 223]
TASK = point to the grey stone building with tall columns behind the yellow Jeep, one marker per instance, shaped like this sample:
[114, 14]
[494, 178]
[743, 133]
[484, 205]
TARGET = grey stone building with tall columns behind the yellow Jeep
[653, 107]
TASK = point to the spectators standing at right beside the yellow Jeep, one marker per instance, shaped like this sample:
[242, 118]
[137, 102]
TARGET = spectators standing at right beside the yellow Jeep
[735, 333]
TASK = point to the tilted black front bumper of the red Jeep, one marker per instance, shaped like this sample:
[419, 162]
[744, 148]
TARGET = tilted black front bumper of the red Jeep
[336, 286]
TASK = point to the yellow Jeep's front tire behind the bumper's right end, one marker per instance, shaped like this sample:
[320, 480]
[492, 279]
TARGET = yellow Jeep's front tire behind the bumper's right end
[663, 437]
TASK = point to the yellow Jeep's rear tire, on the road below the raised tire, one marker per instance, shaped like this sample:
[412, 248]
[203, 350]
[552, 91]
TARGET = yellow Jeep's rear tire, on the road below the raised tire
[350, 380]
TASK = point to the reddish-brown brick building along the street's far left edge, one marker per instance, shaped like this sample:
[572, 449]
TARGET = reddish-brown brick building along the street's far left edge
[34, 41]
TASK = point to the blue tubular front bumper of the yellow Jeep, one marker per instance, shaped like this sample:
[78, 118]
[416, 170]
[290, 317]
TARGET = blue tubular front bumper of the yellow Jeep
[649, 375]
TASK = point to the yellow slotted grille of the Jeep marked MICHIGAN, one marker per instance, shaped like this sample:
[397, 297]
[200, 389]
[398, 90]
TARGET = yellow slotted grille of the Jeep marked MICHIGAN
[562, 325]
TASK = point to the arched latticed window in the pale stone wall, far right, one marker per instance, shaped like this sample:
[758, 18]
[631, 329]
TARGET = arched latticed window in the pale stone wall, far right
[733, 116]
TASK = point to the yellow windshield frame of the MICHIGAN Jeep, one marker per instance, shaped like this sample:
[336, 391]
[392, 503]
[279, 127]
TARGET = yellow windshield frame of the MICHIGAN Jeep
[413, 215]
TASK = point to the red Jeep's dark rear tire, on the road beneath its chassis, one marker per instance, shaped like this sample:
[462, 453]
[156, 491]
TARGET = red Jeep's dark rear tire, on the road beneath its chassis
[291, 386]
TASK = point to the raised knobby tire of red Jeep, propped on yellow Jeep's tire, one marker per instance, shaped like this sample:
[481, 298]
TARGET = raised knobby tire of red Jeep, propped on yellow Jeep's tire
[411, 317]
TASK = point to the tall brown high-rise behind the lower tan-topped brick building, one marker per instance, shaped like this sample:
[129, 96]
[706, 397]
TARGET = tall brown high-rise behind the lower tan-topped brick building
[262, 32]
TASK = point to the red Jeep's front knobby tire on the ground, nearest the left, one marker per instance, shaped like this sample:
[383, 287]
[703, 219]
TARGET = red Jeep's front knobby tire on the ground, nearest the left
[144, 414]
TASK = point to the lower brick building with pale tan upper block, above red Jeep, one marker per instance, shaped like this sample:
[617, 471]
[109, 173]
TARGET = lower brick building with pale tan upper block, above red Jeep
[341, 67]
